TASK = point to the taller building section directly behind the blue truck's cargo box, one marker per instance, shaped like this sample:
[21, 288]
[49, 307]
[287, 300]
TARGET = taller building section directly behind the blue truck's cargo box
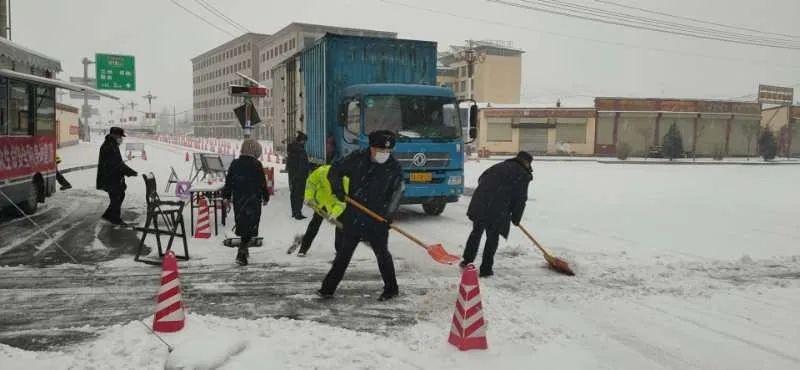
[285, 43]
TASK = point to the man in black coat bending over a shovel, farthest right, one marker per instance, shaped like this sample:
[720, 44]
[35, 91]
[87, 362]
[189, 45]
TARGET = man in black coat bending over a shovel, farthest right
[498, 201]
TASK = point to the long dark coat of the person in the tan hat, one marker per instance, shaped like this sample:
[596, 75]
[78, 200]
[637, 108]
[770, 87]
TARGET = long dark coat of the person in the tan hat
[247, 185]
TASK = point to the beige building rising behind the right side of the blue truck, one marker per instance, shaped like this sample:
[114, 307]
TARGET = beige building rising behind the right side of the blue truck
[496, 75]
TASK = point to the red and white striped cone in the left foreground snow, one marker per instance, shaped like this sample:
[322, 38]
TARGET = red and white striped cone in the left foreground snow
[169, 315]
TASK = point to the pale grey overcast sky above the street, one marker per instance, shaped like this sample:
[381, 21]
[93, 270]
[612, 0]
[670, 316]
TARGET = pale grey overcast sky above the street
[559, 60]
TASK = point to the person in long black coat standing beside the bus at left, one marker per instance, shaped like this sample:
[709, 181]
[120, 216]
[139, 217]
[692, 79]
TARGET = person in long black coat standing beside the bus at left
[111, 172]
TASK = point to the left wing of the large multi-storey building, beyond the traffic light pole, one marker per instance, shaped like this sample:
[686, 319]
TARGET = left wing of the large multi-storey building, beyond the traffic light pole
[212, 74]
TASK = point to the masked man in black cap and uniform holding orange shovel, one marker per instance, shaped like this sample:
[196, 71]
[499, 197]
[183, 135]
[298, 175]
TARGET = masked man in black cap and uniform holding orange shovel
[376, 181]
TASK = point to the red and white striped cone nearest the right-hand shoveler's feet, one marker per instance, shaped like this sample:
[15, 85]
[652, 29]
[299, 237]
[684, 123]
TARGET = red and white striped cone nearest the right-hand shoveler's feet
[469, 329]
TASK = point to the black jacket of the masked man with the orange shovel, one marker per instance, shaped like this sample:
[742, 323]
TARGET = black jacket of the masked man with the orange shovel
[376, 186]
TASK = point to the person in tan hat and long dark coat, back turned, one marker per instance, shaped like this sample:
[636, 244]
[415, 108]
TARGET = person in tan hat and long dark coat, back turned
[246, 185]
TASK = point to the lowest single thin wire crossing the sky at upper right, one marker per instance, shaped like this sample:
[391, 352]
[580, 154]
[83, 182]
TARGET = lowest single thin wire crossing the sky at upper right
[587, 39]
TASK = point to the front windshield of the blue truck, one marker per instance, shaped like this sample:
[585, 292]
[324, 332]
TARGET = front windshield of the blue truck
[431, 117]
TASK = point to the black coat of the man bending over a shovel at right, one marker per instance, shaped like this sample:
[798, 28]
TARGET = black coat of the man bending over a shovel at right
[501, 195]
